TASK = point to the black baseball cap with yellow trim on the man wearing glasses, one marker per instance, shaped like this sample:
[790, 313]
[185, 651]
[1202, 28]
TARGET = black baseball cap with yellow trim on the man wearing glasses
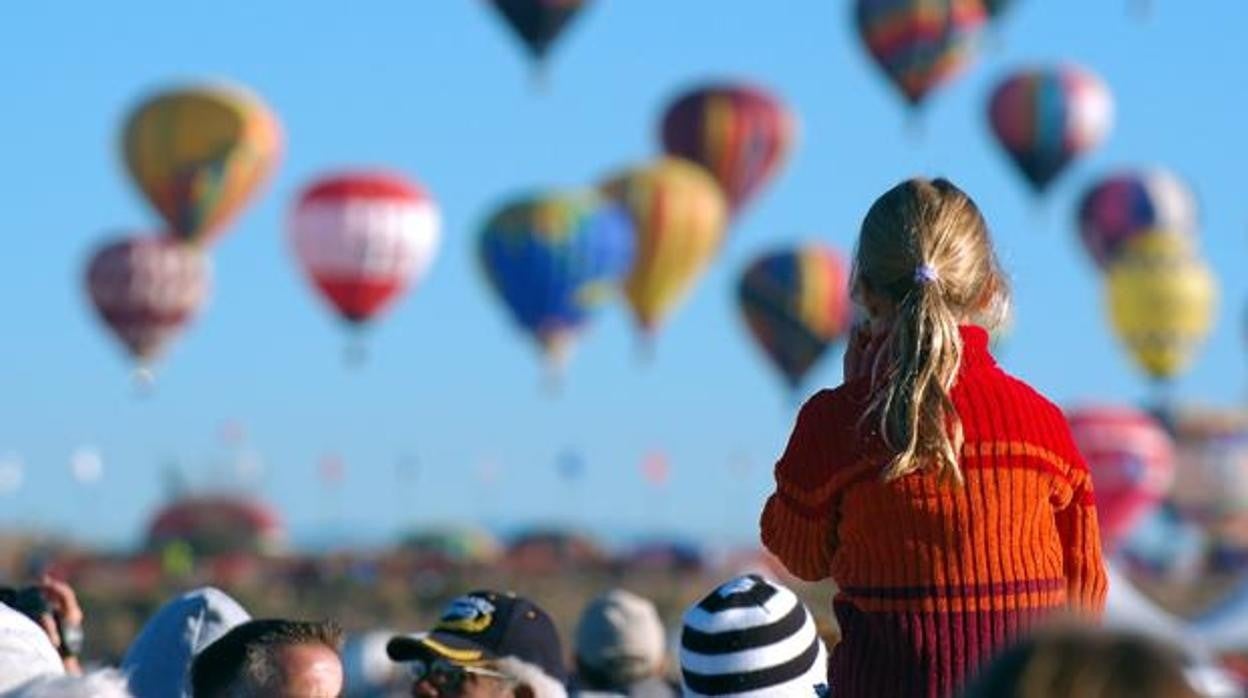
[484, 626]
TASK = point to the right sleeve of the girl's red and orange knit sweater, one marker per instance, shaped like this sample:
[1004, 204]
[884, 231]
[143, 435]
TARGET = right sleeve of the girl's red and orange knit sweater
[1075, 504]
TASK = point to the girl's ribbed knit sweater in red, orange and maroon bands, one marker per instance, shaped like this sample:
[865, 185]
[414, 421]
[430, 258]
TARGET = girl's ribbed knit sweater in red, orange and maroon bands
[934, 580]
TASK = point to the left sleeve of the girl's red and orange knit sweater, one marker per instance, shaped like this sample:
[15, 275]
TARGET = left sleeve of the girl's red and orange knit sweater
[797, 524]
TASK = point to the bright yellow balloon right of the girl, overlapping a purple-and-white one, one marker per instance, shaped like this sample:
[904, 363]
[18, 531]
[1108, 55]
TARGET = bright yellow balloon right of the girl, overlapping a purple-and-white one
[1163, 300]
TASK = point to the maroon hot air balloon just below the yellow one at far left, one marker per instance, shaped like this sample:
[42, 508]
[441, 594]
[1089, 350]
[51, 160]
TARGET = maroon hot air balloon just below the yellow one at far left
[147, 290]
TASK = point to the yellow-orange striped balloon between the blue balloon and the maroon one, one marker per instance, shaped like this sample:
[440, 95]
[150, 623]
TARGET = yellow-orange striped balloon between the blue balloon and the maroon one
[680, 215]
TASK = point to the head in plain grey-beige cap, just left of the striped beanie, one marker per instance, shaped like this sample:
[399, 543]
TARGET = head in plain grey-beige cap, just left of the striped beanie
[620, 642]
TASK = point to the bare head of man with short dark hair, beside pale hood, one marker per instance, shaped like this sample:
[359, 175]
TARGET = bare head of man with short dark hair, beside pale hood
[274, 659]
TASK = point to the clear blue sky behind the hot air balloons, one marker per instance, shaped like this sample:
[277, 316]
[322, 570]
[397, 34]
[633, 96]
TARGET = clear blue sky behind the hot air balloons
[439, 91]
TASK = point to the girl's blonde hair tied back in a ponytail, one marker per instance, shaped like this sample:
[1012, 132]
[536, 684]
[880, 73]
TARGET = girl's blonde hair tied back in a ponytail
[925, 252]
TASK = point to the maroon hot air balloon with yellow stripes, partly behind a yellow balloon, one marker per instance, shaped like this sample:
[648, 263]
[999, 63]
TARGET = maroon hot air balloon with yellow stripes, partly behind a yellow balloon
[739, 134]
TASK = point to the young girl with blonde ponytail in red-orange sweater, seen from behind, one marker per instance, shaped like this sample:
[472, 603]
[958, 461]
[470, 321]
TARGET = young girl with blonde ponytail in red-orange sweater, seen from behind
[944, 498]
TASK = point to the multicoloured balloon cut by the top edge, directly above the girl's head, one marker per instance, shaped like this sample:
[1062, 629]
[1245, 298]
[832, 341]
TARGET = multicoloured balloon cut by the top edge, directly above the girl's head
[920, 44]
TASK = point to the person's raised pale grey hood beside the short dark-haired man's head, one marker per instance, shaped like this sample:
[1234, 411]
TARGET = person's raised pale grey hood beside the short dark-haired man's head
[159, 662]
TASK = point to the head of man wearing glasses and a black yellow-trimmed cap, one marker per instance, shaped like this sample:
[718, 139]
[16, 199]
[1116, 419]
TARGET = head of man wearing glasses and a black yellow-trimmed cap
[487, 645]
